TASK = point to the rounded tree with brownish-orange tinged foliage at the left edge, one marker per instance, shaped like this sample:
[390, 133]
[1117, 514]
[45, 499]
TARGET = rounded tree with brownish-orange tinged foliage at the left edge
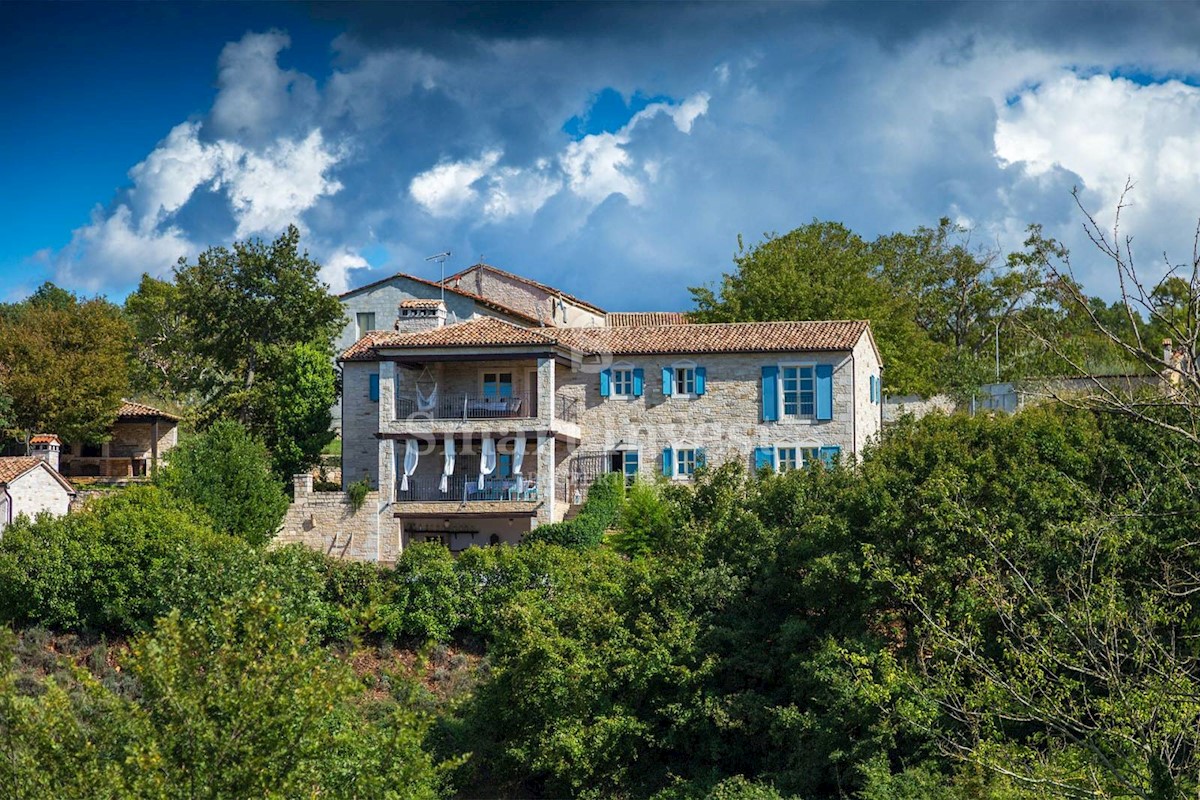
[67, 364]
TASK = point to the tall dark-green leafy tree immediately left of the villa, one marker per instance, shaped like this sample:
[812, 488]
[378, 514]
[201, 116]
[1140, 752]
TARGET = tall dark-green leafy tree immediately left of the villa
[255, 342]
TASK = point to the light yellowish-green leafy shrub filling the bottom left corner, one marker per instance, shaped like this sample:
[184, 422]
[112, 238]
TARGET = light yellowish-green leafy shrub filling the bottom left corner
[239, 703]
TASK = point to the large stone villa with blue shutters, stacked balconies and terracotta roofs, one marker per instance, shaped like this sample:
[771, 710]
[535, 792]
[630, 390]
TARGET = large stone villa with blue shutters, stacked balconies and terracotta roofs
[483, 416]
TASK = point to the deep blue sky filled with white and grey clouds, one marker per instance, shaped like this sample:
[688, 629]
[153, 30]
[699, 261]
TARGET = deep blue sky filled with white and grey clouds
[616, 151]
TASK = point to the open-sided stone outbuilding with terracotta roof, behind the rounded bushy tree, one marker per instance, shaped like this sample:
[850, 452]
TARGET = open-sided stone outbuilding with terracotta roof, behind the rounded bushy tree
[141, 437]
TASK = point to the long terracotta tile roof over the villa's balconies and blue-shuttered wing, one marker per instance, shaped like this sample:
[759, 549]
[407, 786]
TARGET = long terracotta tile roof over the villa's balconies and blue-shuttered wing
[645, 340]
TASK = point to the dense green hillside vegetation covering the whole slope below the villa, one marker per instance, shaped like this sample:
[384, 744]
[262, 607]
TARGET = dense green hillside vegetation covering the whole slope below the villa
[982, 609]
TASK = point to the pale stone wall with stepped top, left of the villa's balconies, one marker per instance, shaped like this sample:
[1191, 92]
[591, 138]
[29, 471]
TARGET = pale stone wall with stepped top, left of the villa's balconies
[325, 522]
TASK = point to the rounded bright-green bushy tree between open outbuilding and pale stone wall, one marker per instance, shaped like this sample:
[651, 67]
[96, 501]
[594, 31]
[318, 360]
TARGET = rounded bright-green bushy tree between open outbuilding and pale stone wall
[226, 472]
